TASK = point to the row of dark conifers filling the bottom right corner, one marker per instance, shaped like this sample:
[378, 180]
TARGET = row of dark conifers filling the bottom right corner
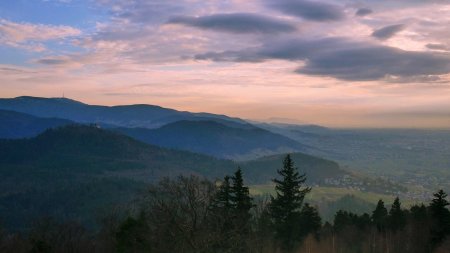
[421, 229]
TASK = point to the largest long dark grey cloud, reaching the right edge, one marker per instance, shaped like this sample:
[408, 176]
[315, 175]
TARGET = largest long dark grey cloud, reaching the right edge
[346, 60]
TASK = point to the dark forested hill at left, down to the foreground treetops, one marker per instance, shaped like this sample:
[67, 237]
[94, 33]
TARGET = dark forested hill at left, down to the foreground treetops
[77, 171]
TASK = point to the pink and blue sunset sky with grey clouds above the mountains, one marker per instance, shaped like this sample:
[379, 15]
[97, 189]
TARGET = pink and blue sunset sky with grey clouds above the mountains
[338, 63]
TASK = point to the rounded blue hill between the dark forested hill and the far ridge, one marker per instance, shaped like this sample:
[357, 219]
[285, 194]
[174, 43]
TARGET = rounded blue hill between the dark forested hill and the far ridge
[216, 139]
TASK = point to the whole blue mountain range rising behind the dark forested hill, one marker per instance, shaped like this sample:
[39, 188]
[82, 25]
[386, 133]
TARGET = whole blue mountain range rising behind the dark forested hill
[215, 135]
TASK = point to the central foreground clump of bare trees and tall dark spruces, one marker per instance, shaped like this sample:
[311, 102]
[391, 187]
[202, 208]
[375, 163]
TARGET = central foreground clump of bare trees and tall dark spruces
[199, 216]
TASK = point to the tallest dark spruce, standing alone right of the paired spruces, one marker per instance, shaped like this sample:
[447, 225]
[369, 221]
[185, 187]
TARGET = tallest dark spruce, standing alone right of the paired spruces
[285, 207]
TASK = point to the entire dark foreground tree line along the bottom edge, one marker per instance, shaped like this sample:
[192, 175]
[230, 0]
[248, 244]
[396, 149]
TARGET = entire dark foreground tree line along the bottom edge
[193, 214]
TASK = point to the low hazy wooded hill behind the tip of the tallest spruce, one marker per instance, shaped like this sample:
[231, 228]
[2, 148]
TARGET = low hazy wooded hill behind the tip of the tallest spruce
[317, 169]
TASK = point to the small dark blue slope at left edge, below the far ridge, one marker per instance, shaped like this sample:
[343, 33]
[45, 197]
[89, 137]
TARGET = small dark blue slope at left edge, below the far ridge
[19, 125]
